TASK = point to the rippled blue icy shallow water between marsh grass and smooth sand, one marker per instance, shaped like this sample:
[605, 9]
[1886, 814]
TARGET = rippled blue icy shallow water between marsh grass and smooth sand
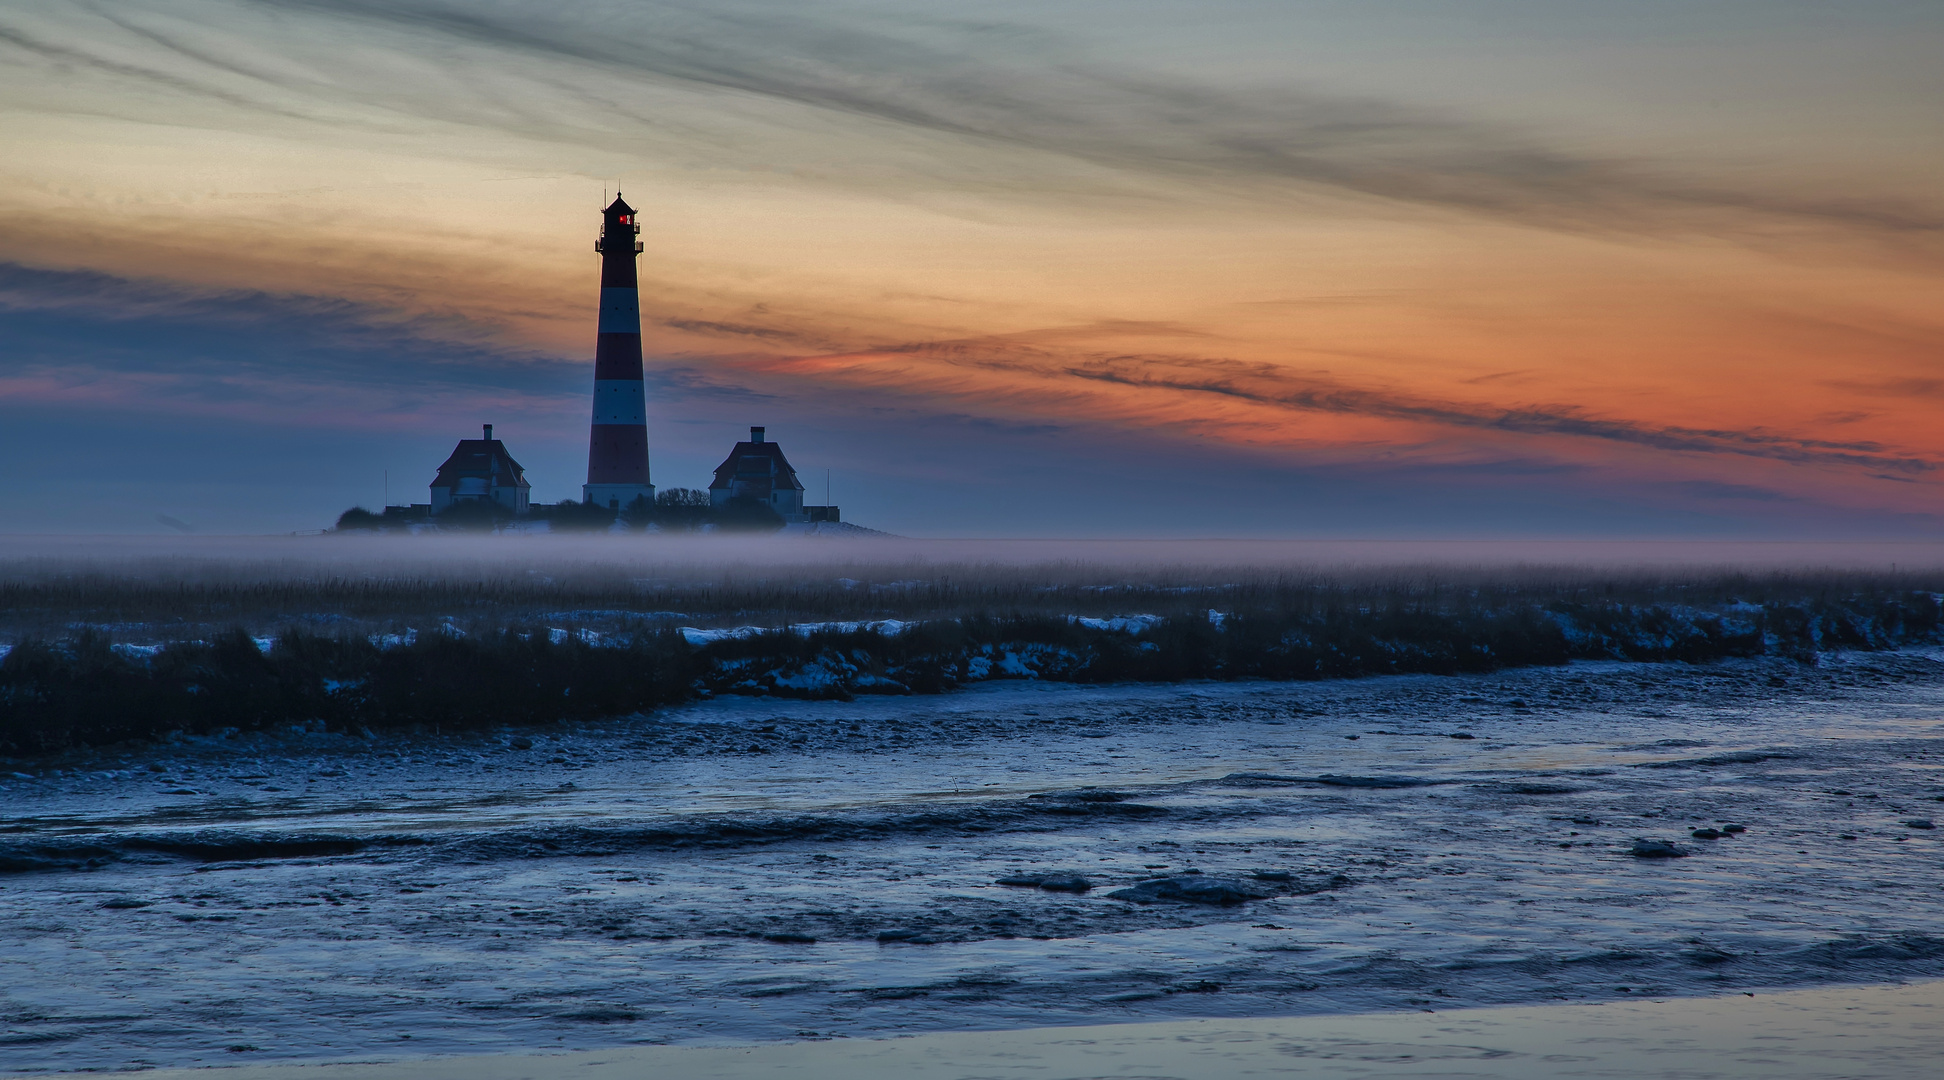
[660, 879]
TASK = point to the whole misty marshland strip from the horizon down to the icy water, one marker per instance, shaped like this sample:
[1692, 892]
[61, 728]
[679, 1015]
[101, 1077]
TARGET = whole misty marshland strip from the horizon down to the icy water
[114, 640]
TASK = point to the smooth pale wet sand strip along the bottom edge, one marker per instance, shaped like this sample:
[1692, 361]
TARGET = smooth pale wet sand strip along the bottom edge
[1854, 1032]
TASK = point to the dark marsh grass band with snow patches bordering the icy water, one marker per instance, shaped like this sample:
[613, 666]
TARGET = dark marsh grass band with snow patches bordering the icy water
[514, 665]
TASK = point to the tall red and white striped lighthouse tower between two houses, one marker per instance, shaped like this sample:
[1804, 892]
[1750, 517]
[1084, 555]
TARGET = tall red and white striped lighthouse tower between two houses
[617, 444]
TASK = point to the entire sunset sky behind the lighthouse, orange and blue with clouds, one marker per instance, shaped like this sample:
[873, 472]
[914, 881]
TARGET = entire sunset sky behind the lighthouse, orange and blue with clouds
[1391, 269]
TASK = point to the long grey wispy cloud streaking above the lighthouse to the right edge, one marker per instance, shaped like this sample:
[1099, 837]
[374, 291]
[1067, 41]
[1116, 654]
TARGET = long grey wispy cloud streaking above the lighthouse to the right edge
[989, 88]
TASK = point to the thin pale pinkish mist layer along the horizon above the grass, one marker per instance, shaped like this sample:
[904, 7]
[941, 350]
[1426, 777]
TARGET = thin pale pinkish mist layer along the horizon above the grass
[380, 557]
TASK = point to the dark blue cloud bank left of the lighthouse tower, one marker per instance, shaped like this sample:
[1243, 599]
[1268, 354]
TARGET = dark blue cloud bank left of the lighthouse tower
[151, 347]
